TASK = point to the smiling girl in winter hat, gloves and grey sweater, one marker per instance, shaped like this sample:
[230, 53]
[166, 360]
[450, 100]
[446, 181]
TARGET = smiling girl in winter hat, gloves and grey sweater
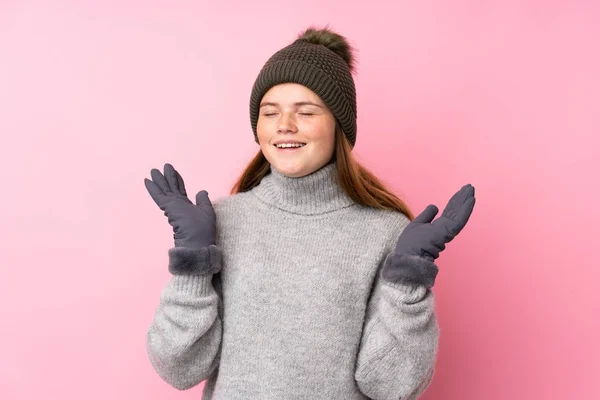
[312, 280]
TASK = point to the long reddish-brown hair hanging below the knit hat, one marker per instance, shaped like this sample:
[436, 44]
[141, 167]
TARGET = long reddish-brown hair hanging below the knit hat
[361, 185]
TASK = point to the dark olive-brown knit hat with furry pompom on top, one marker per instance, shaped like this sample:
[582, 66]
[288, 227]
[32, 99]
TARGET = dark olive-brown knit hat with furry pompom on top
[321, 60]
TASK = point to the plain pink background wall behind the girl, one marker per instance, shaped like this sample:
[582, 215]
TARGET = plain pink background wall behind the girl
[503, 95]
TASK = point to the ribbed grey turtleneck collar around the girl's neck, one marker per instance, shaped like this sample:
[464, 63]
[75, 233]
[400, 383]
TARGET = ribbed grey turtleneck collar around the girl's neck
[312, 194]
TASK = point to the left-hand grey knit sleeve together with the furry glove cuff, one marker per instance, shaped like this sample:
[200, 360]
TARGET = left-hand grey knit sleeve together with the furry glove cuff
[183, 342]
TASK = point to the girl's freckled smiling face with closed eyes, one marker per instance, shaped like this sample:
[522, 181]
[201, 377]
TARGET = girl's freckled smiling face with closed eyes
[295, 129]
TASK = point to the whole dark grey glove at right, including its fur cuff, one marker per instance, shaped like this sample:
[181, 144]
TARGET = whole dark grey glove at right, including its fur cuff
[423, 240]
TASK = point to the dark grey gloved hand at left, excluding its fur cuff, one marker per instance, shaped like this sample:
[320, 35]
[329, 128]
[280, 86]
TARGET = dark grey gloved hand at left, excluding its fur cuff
[194, 225]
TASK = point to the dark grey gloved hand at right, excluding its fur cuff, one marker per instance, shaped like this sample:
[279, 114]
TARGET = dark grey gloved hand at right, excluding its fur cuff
[427, 239]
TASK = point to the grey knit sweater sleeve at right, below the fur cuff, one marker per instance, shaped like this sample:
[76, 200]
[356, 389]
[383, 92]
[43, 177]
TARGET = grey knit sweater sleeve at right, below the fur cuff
[398, 348]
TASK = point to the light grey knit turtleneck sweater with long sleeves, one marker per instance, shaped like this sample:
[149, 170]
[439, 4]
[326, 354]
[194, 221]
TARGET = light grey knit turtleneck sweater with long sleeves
[298, 309]
